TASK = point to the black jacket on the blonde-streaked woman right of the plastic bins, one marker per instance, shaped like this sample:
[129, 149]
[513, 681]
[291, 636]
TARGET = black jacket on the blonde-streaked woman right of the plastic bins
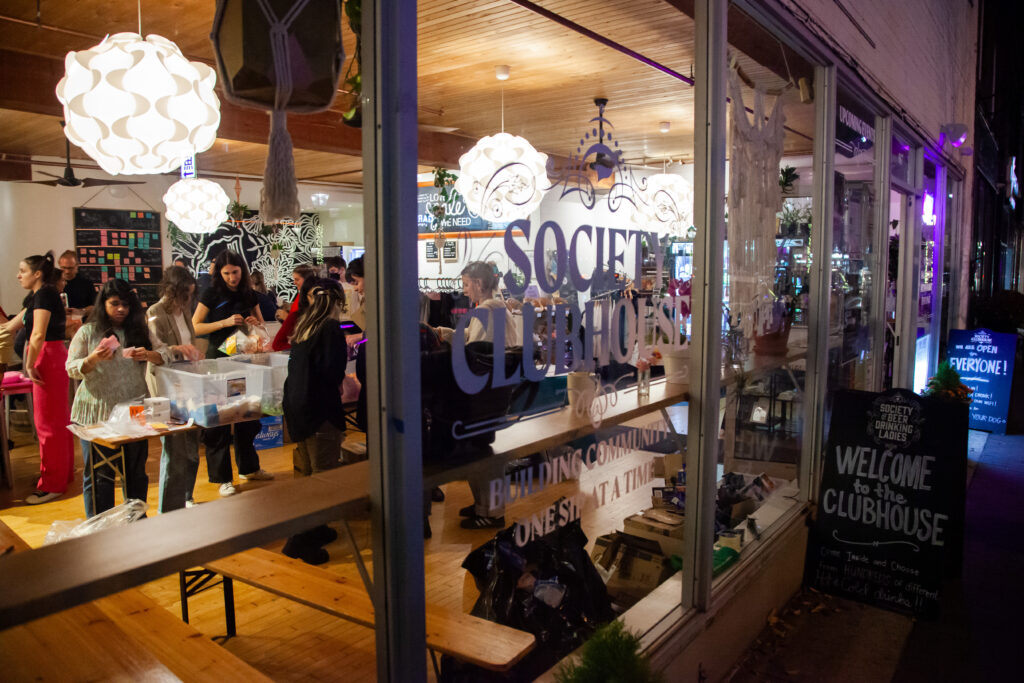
[313, 391]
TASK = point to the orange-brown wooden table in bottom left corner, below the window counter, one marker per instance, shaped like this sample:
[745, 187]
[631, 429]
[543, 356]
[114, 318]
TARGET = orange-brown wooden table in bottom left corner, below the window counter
[125, 636]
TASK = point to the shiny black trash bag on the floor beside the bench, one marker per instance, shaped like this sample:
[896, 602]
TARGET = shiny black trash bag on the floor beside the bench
[549, 588]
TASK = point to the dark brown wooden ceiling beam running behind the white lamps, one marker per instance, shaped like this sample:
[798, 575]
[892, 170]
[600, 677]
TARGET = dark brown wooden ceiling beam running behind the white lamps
[30, 83]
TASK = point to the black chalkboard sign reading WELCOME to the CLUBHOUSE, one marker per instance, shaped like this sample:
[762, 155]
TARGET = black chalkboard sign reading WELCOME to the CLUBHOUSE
[890, 515]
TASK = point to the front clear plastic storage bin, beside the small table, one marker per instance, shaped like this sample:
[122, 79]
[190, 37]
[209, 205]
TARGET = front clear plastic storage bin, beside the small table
[212, 393]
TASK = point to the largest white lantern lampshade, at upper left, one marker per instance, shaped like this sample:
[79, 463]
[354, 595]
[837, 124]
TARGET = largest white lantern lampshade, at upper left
[139, 106]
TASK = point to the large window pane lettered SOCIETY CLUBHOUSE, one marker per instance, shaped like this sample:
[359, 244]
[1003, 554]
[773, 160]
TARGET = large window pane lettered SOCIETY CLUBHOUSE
[556, 251]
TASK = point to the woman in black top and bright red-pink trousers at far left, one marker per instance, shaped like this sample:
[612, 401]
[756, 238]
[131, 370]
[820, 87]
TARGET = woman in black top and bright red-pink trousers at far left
[44, 319]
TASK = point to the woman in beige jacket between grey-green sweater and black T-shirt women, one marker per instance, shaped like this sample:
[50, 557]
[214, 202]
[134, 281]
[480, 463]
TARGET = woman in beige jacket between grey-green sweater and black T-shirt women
[172, 327]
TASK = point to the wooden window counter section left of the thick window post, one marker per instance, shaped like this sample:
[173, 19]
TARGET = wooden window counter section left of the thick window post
[78, 571]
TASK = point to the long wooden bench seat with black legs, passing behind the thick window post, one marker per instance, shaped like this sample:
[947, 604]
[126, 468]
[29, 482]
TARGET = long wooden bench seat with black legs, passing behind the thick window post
[465, 637]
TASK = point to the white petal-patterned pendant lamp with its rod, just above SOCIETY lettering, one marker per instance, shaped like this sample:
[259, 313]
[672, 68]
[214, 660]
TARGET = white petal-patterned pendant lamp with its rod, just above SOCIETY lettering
[503, 178]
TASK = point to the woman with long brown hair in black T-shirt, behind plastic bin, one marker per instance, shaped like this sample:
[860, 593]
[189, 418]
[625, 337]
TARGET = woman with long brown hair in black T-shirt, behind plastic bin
[228, 305]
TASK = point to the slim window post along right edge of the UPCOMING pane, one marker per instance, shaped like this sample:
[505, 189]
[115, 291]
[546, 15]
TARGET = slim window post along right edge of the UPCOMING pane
[883, 159]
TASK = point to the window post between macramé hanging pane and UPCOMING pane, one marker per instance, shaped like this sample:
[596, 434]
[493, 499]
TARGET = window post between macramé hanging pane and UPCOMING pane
[822, 239]
